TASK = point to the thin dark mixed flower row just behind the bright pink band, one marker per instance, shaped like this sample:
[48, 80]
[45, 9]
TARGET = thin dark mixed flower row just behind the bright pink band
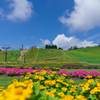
[52, 67]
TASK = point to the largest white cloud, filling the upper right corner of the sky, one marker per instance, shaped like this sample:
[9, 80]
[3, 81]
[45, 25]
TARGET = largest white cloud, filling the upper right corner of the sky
[86, 16]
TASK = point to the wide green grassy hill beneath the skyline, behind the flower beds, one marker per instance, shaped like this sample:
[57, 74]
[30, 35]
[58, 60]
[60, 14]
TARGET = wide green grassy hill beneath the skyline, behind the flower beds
[35, 55]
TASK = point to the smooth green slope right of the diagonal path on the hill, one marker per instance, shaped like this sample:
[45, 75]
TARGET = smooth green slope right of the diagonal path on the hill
[89, 53]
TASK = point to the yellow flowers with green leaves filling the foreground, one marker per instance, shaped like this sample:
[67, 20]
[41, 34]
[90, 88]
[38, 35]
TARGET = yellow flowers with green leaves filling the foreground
[50, 85]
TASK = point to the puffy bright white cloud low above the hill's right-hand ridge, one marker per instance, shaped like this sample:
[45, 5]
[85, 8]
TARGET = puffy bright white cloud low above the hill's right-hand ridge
[67, 42]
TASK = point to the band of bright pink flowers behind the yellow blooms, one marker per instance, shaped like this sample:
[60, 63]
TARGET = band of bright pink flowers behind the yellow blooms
[77, 74]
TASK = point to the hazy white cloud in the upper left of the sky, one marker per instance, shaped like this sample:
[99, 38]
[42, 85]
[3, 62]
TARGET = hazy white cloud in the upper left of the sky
[20, 10]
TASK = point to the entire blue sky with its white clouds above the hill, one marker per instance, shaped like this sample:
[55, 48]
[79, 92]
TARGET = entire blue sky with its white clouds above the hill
[64, 23]
